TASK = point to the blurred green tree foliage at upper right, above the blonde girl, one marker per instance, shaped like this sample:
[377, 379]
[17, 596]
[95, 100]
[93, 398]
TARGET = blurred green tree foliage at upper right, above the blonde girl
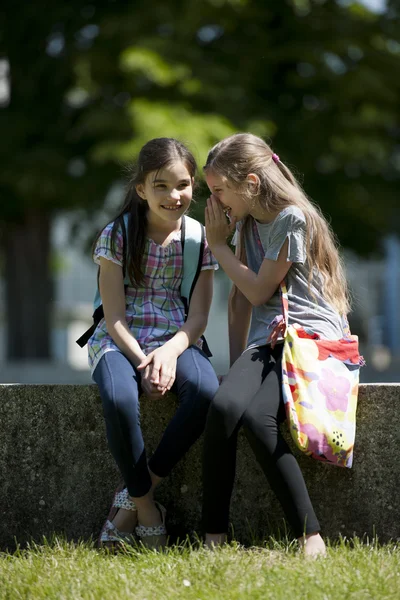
[314, 76]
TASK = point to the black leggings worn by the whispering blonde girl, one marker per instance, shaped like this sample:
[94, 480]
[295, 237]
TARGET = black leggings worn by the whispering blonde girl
[251, 396]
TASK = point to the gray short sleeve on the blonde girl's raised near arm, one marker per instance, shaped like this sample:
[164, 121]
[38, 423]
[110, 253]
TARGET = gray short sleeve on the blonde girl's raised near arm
[290, 224]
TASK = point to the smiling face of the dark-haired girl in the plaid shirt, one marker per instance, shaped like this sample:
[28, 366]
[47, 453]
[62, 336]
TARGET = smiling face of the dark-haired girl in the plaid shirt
[168, 192]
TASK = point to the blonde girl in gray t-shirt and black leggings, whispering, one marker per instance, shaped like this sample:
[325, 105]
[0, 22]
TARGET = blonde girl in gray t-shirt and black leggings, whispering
[280, 235]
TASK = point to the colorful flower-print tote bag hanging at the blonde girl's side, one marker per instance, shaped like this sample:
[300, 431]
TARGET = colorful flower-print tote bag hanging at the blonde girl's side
[320, 387]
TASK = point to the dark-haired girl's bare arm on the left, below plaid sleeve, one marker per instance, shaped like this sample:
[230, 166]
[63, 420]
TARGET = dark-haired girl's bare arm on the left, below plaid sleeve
[112, 293]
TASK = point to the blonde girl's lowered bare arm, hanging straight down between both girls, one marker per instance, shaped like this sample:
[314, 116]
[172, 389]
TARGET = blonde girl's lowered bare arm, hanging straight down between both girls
[239, 315]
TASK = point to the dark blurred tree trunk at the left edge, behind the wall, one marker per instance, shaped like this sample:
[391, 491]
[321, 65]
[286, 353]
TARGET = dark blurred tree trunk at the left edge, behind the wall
[28, 288]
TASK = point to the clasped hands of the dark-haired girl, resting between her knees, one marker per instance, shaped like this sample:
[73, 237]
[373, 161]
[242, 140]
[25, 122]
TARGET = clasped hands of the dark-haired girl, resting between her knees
[158, 371]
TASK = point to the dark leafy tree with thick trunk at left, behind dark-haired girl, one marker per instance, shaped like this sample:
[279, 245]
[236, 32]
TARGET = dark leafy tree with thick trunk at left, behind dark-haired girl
[66, 98]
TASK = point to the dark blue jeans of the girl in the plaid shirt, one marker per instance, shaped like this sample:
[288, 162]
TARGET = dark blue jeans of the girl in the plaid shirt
[119, 383]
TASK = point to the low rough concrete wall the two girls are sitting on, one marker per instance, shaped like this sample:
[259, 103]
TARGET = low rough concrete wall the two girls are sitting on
[57, 475]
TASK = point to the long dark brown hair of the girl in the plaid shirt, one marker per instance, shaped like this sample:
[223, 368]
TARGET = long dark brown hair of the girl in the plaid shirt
[155, 155]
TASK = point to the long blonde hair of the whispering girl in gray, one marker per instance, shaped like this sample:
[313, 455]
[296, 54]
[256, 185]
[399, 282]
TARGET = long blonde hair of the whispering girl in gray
[240, 154]
